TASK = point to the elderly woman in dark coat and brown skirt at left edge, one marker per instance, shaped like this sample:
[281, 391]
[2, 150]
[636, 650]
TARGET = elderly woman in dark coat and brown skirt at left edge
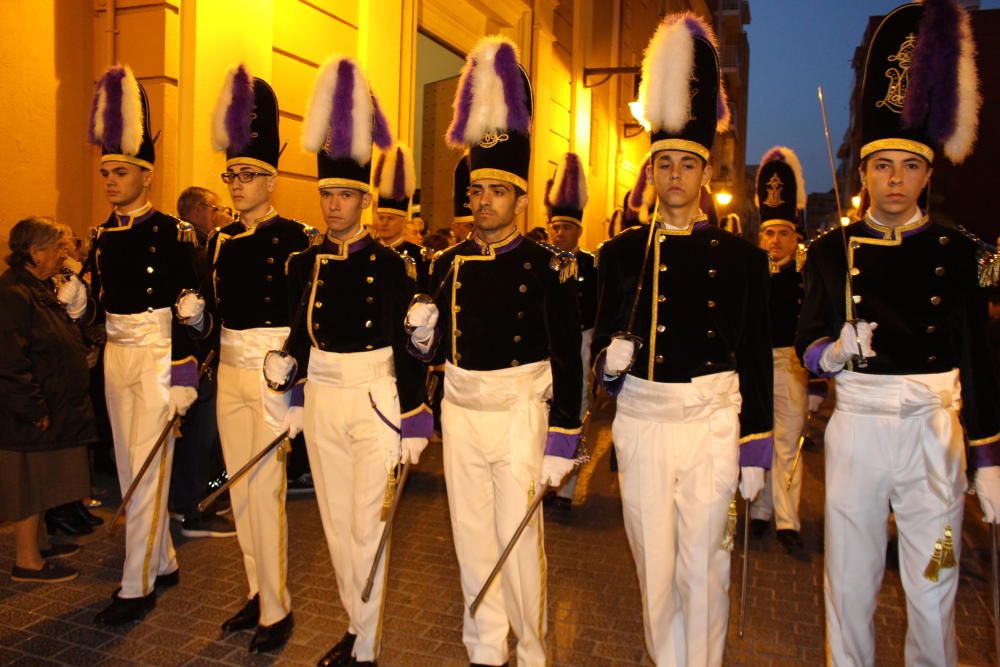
[46, 420]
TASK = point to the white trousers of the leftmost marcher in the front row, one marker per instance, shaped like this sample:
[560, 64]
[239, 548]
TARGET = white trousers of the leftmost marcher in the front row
[137, 390]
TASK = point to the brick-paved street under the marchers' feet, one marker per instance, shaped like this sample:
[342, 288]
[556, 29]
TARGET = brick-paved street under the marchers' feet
[594, 601]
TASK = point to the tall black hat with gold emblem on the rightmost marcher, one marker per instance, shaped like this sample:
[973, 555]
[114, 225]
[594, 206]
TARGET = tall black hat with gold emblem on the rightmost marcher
[920, 91]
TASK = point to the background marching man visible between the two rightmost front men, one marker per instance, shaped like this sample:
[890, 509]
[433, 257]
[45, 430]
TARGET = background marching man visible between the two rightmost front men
[781, 200]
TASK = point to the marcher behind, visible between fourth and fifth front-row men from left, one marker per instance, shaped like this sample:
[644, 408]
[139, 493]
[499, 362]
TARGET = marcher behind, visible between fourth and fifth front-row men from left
[565, 201]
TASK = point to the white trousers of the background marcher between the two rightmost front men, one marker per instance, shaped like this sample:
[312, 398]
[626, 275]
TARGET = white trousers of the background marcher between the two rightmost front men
[790, 383]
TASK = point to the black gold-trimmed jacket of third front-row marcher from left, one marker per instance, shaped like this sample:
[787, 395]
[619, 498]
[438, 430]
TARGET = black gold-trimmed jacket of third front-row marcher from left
[358, 294]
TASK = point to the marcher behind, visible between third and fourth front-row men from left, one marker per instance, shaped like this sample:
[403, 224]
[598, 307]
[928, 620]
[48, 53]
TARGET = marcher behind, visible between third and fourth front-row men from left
[393, 210]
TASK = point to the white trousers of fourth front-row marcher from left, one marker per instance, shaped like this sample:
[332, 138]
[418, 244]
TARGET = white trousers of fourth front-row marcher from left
[494, 425]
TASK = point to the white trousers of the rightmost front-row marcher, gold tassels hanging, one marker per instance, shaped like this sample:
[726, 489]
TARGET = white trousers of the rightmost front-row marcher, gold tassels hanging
[892, 440]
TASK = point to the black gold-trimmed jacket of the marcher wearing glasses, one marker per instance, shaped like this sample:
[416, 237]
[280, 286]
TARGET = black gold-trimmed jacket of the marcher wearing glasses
[249, 287]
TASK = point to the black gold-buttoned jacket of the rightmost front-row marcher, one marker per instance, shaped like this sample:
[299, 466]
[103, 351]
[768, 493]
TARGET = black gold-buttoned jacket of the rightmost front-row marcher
[919, 283]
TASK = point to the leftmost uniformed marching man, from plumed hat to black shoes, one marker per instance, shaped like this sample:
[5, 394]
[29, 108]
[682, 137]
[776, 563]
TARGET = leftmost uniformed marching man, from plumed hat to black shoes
[144, 258]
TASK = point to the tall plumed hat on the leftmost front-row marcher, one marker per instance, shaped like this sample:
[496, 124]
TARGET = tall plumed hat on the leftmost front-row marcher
[119, 119]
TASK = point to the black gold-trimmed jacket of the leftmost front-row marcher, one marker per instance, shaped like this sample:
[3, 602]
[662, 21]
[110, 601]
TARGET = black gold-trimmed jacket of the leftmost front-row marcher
[142, 263]
